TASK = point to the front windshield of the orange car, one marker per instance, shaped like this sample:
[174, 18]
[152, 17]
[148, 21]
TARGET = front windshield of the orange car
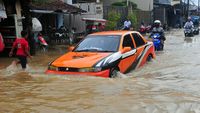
[99, 43]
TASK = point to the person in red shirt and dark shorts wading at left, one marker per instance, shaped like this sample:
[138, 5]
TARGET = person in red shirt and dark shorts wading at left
[22, 47]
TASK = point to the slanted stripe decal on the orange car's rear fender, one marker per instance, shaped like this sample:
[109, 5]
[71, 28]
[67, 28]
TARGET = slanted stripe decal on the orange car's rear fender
[140, 58]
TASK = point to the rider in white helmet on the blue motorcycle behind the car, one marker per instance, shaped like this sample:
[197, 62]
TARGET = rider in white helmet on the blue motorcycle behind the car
[158, 29]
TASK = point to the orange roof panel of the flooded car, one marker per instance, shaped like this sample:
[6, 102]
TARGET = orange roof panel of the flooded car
[122, 32]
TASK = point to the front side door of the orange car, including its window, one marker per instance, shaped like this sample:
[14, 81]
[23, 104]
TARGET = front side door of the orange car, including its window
[128, 58]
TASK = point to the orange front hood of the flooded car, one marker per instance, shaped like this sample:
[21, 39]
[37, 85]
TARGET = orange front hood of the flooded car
[79, 59]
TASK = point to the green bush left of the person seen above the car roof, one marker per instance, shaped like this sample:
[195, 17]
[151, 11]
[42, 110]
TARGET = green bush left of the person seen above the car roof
[113, 18]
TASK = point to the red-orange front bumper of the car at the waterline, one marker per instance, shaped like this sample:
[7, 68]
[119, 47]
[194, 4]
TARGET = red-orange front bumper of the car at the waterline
[104, 73]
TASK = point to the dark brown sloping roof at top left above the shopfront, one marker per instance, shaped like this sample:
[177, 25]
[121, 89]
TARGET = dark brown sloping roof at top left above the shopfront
[56, 6]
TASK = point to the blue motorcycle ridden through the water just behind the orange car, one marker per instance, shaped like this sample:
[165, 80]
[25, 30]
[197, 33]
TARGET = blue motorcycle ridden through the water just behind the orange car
[156, 38]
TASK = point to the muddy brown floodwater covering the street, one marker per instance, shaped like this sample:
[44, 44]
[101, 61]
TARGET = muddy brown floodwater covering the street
[168, 84]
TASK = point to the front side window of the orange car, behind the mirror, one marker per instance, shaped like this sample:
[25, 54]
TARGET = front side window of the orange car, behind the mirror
[128, 42]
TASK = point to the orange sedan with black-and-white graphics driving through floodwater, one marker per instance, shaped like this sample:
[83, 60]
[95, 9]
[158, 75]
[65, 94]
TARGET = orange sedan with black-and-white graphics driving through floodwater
[104, 54]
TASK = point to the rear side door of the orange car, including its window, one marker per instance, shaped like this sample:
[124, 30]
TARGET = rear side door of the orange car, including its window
[140, 47]
